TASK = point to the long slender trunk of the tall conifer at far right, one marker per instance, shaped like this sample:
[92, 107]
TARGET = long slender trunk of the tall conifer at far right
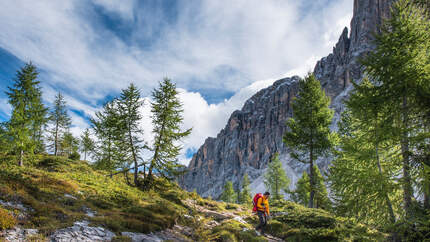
[407, 187]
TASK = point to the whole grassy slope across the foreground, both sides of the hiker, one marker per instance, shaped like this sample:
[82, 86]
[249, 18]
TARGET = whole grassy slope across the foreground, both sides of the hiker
[42, 186]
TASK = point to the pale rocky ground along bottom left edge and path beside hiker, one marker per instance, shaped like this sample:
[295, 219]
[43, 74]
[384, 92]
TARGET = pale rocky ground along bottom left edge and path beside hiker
[83, 231]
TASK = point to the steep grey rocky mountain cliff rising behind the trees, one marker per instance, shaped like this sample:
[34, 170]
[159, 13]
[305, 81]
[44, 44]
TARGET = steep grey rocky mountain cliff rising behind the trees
[254, 133]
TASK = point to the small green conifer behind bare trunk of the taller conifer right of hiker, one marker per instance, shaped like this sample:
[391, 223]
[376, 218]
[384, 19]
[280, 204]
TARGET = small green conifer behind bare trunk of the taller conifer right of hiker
[301, 194]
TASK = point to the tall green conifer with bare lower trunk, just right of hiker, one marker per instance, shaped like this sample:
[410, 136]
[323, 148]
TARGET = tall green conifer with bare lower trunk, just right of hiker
[309, 132]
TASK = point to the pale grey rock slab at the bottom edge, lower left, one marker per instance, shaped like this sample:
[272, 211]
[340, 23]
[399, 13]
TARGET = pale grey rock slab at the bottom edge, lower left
[80, 231]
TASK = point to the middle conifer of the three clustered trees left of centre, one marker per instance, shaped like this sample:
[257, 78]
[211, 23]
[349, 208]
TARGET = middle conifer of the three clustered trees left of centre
[129, 104]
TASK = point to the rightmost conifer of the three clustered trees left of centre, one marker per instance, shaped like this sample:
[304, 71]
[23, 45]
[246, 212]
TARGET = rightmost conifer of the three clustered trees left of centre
[167, 117]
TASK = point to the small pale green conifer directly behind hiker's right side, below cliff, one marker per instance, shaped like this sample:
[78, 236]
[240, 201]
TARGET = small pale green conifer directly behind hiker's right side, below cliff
[275, 178]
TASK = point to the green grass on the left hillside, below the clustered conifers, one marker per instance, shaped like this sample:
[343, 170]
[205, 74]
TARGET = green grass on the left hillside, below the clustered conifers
[118, 206]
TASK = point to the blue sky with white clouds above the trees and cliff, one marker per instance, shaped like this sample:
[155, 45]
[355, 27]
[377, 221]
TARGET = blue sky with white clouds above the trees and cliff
[219, 53]
